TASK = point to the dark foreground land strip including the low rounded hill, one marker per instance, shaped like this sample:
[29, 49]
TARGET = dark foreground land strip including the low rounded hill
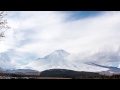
[58, 74]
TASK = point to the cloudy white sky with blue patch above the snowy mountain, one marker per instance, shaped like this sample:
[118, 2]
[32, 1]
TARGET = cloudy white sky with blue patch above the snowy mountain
[90, 35]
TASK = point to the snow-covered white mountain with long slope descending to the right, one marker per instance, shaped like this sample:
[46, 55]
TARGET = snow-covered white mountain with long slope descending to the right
[58, 59]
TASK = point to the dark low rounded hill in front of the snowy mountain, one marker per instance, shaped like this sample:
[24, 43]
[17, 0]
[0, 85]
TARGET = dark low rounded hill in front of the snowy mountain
[65, 73]
